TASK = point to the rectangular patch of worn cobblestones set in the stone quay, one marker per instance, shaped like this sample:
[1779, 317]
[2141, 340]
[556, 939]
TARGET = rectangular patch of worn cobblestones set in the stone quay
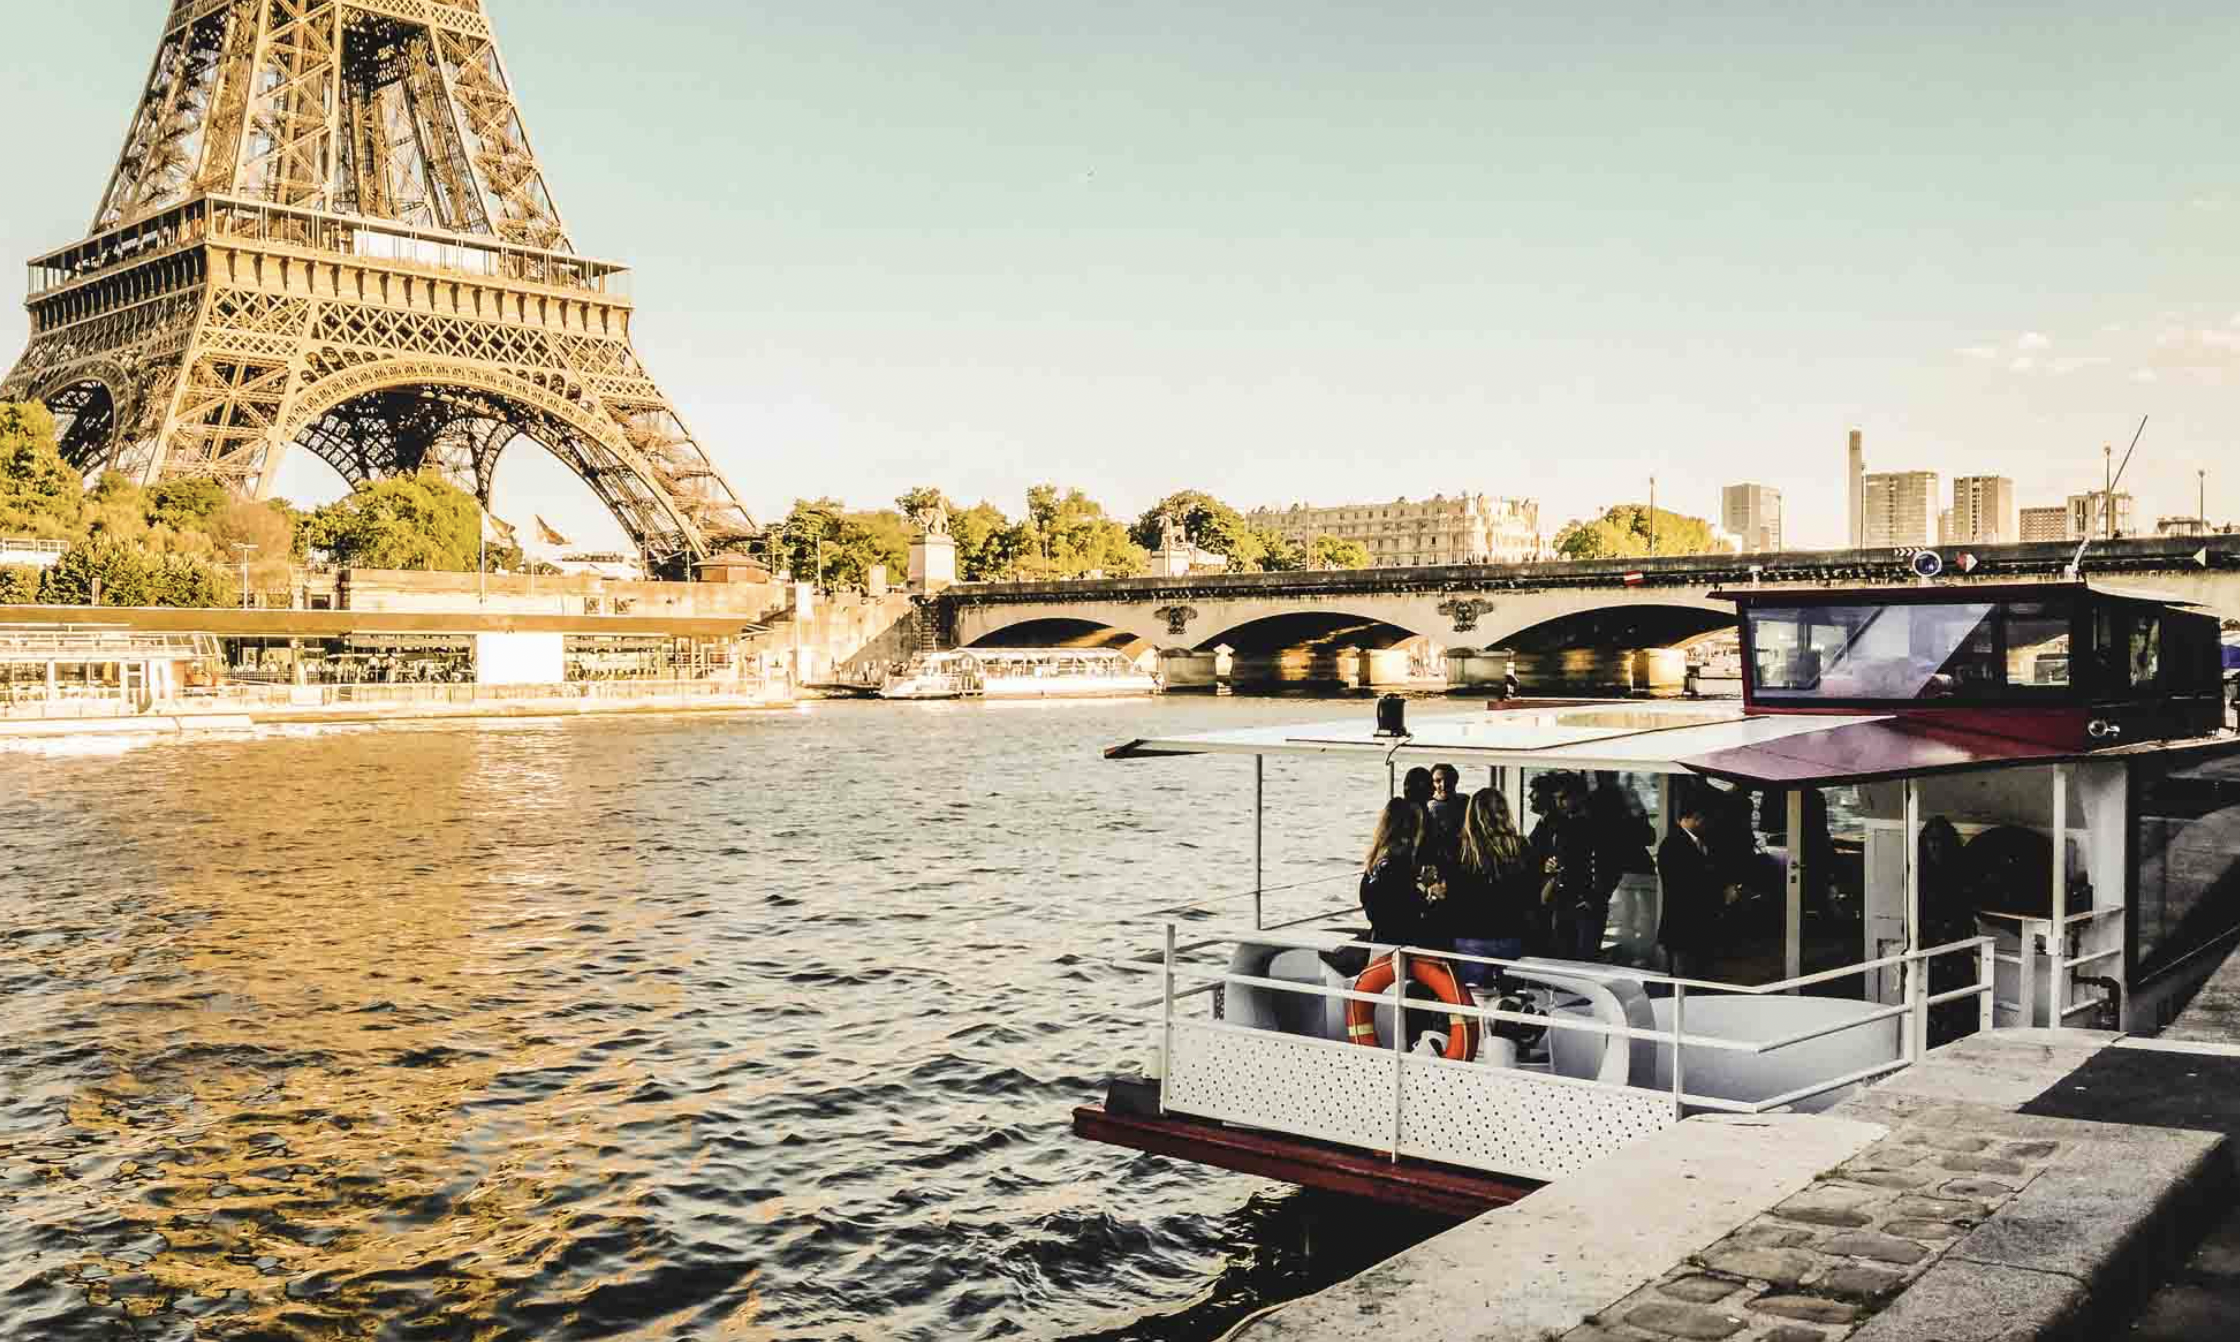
[1827, 1260]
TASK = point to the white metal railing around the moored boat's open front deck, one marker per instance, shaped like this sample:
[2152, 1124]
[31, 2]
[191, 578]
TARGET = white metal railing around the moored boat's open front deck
[1184, 982]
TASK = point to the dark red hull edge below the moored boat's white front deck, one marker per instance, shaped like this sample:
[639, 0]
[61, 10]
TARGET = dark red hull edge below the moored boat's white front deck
[1309, 1164]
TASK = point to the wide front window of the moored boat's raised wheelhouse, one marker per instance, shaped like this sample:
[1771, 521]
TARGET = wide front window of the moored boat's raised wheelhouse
[1912, 653]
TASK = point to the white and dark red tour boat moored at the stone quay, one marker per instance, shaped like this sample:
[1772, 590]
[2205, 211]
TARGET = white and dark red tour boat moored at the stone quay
[2073, 738]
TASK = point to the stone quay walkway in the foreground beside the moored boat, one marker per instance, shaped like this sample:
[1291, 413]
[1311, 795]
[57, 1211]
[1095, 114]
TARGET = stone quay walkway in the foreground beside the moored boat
[2024, 1186]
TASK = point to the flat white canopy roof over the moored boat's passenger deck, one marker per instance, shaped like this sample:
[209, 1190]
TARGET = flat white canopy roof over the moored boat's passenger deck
[1636, 738]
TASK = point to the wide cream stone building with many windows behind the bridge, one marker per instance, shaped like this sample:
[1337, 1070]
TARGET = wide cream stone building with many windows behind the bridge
[1462, 530]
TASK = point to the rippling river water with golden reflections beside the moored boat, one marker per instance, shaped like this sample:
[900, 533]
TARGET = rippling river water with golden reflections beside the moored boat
[734, 1029]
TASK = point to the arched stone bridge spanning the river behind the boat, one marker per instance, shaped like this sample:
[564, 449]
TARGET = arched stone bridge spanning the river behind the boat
[1300, 626]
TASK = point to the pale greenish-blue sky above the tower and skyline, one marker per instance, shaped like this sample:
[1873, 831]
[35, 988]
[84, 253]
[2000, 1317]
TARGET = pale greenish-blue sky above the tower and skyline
[1316, 252]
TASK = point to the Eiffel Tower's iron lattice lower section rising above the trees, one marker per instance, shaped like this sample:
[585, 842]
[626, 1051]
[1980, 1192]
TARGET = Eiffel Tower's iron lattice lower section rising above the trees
[328, 232]
